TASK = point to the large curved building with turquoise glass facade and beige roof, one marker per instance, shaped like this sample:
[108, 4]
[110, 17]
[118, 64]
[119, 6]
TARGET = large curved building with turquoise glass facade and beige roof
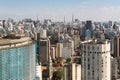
[17, 59]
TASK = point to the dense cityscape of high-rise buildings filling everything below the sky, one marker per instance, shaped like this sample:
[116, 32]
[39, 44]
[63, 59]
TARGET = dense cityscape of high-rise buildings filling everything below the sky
[46, 50]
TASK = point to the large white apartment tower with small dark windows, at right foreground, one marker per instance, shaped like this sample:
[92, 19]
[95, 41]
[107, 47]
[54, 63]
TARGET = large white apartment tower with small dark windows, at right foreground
[96, 60]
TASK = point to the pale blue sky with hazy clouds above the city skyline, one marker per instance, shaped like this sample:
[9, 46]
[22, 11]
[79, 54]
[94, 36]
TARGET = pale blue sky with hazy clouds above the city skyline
[97, 10]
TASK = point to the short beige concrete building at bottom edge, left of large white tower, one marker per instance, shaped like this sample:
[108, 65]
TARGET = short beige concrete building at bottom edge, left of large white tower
[72, 71]
